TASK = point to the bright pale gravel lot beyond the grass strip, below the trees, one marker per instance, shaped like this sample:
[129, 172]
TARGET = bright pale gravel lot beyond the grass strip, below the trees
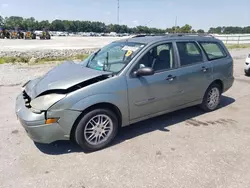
[56, 47]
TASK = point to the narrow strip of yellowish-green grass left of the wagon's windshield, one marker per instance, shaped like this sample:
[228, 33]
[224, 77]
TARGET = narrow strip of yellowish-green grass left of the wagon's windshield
[41, 60]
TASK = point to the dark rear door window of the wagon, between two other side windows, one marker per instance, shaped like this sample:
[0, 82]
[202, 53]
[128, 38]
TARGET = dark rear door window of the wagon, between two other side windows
[189, 53]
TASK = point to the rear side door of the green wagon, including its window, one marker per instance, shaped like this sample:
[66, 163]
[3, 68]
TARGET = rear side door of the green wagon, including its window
[195, 73]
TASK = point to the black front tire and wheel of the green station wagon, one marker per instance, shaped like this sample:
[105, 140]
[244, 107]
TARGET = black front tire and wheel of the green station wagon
[82, 134]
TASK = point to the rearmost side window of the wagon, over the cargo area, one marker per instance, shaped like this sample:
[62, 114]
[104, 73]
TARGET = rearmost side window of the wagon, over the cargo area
[213, 50]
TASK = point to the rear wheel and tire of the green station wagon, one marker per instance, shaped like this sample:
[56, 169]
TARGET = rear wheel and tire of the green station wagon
[206, 105]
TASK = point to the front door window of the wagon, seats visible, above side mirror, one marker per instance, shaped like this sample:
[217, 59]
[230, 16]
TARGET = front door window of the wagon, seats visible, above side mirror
[159, 58]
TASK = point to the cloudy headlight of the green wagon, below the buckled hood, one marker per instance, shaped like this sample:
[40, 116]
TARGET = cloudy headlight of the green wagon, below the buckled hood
[45, 102]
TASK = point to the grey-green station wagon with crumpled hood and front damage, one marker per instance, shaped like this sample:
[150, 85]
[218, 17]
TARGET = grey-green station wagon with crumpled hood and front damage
[125, 82]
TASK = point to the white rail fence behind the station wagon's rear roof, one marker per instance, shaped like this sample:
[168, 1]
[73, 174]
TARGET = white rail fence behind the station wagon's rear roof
[234, 38]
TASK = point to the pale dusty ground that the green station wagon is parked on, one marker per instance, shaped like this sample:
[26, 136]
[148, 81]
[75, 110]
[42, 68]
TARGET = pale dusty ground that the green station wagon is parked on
[183, 149]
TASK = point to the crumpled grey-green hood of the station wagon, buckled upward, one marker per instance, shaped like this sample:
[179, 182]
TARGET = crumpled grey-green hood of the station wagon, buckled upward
[61, 77]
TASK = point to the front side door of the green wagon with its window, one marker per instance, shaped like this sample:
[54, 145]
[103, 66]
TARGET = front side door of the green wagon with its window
[156, 93]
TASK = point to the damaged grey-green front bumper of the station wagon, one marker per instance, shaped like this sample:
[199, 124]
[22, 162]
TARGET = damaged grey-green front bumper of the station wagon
[34, 124]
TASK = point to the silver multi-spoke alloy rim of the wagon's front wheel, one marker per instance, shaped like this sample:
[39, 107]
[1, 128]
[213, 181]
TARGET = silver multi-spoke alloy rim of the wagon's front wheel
[98, 129]
